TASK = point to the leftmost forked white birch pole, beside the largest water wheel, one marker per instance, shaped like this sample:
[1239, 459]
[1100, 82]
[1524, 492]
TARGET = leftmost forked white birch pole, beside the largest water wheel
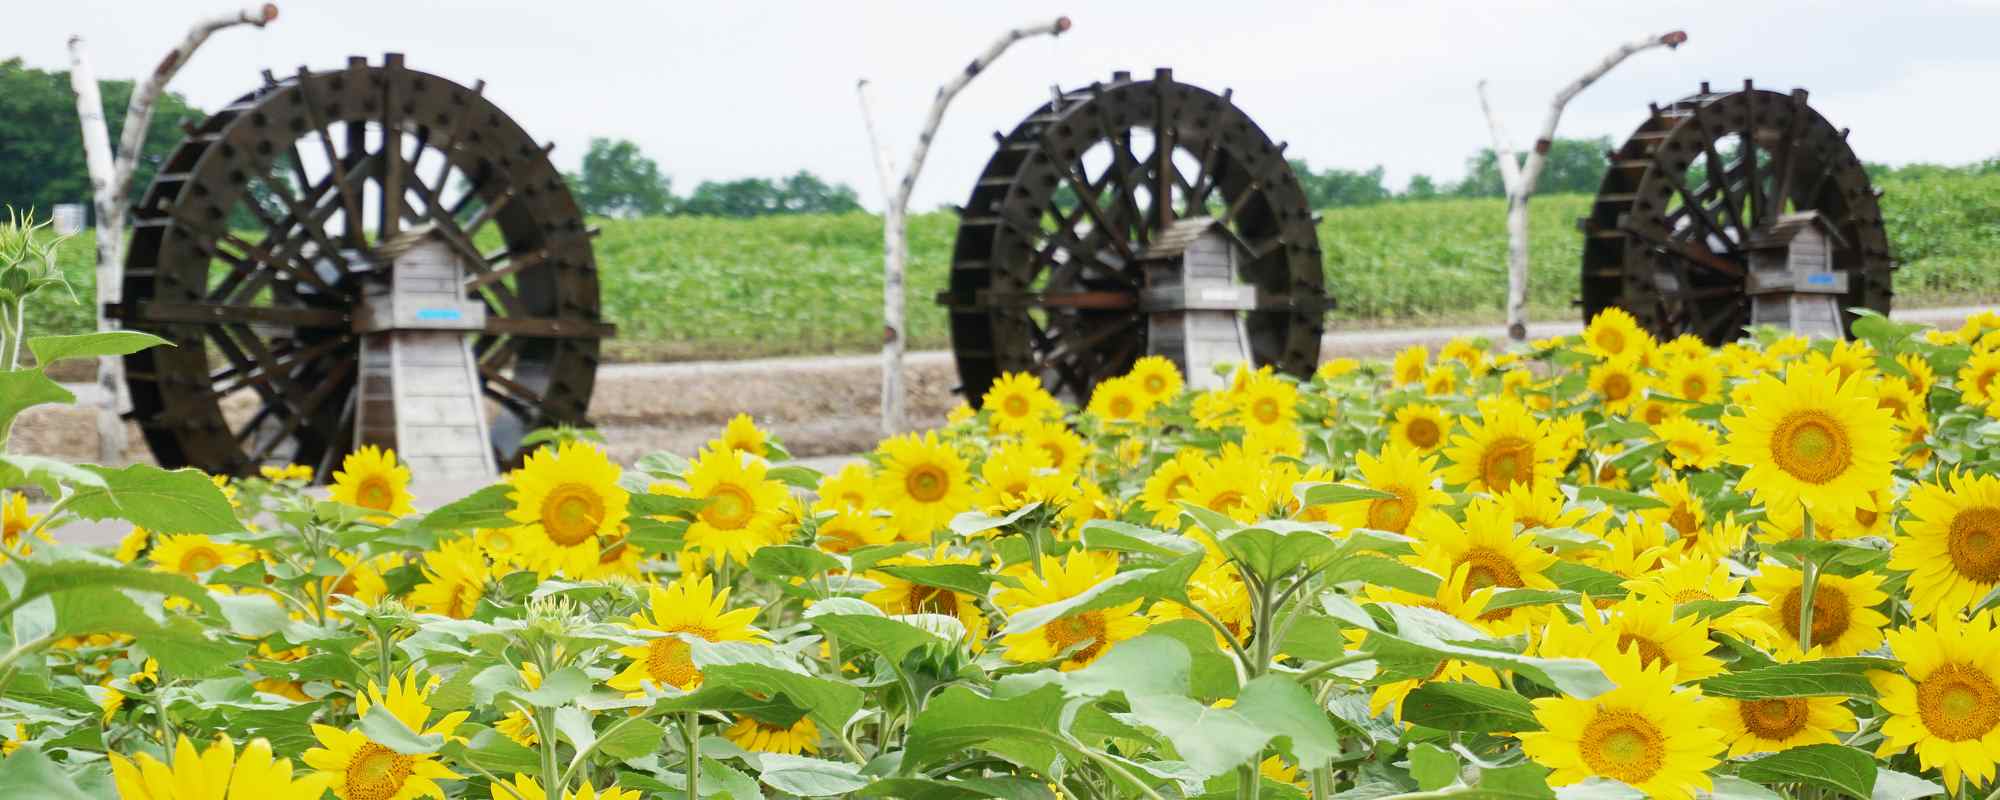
[111, 185]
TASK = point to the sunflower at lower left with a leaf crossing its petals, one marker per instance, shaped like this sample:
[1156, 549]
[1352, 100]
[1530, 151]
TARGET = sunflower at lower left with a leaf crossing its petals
[359, 769]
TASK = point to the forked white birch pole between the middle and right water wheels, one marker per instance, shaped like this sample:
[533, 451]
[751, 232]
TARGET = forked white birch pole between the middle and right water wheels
[1519, 177]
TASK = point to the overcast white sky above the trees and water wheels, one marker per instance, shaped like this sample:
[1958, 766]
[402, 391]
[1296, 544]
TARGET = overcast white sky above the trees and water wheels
[765, 89]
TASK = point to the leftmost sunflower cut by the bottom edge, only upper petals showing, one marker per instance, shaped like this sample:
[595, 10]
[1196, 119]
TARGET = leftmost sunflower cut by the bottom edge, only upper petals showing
[219, 773]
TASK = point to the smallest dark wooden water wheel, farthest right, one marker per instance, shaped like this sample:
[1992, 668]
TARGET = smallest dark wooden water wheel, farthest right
[1695, 189]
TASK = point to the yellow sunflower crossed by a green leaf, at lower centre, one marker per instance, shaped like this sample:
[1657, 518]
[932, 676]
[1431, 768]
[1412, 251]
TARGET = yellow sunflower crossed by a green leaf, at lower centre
[1077, 639]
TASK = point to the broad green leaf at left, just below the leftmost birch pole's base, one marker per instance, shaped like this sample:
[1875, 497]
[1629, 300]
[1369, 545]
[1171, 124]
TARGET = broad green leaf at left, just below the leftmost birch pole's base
[155, 499]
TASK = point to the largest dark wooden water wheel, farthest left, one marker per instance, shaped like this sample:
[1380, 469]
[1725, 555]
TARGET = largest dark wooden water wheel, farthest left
[259, 241]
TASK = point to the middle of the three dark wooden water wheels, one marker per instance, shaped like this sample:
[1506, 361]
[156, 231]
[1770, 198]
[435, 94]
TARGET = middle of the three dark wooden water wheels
[1051, 269]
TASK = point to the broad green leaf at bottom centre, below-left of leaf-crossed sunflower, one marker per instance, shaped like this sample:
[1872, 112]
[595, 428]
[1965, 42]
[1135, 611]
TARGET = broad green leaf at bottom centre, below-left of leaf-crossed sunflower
[959, 719]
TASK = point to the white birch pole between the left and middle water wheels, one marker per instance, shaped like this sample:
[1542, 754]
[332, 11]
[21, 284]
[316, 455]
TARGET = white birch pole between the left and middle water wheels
[897, 211]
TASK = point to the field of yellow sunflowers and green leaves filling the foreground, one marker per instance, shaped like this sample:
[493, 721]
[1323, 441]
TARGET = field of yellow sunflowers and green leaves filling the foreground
[1601, 567]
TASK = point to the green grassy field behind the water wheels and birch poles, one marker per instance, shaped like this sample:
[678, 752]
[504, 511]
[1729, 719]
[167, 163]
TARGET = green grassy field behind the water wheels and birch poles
[807, 285]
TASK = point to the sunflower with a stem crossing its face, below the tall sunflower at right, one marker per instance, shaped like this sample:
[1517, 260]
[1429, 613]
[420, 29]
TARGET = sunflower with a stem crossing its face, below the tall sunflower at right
[1845, 619]
